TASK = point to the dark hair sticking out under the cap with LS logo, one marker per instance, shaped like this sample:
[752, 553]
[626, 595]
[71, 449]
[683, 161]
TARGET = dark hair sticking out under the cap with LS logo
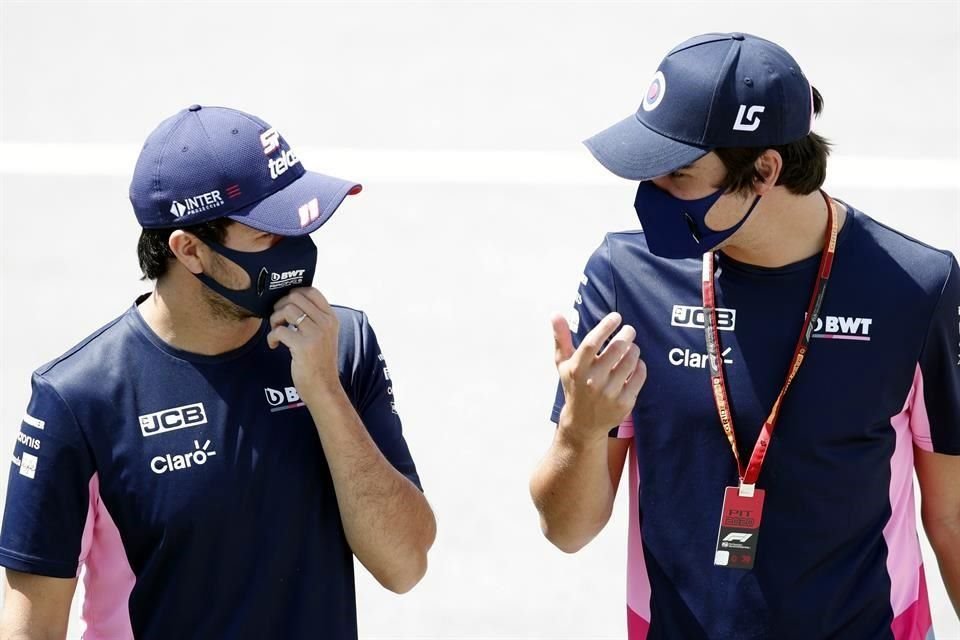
[804, 162]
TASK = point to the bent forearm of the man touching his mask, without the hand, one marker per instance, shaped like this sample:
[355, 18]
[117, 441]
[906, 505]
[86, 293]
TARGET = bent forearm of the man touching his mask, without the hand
[387, 520]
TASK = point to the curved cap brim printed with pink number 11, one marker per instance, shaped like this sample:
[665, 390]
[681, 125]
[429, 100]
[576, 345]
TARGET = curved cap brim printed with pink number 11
[291, 212]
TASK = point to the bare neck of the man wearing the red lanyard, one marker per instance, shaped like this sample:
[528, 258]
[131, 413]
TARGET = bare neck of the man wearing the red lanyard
[784, 229]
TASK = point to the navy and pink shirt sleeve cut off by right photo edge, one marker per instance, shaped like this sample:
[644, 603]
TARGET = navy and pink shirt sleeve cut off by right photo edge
[935, 414]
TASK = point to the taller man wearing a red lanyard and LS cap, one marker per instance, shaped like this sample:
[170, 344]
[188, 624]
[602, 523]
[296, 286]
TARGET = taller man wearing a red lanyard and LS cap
[783, 363]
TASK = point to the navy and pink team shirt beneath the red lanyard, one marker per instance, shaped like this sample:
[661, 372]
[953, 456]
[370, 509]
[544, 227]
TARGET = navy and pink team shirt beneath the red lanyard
[838, 554]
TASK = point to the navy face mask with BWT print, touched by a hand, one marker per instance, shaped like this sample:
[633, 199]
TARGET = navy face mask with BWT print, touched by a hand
[273, 272]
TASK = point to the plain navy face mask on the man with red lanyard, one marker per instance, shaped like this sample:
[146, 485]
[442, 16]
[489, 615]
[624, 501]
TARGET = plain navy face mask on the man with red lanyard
[677, 228]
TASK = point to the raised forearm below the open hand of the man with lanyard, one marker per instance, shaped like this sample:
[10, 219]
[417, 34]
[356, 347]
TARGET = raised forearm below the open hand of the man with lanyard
[572, 490]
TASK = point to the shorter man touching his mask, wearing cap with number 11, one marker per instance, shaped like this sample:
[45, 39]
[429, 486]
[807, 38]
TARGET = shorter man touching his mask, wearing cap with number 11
[218, 454]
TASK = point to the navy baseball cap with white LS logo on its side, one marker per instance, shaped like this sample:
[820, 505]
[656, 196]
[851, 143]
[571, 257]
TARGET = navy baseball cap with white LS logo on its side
[715, 90]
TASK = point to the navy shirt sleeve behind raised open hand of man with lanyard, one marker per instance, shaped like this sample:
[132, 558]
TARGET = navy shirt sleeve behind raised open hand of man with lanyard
[596, 297]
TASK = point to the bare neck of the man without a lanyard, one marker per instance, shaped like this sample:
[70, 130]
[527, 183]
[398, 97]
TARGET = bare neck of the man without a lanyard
[178, 314]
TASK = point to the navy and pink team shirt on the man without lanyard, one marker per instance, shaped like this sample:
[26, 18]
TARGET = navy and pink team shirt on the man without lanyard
[193, 488]
